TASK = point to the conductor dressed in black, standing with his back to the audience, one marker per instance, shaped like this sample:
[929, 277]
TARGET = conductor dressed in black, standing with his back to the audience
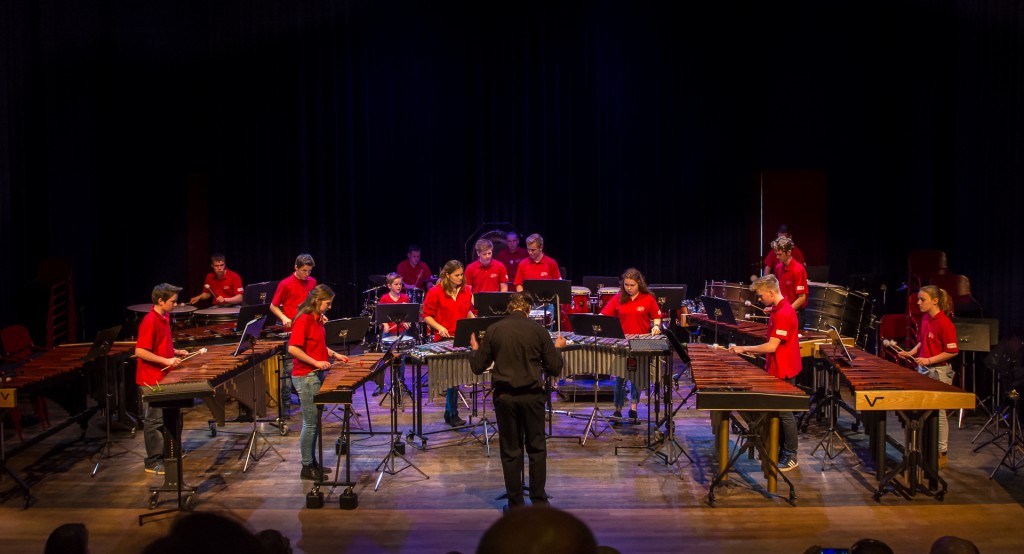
[522, 352]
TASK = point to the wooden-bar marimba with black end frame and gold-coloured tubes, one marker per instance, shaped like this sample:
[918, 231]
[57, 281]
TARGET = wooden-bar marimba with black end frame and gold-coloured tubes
[724, 383]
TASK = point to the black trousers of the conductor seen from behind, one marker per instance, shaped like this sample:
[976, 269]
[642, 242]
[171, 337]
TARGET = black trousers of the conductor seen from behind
[521, 424]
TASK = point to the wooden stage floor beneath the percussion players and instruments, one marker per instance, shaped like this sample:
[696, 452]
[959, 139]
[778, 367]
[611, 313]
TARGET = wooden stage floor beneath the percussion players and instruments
[632, 504]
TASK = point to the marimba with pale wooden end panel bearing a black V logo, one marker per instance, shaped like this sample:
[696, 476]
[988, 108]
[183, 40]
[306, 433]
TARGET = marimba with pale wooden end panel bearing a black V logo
[878, 387]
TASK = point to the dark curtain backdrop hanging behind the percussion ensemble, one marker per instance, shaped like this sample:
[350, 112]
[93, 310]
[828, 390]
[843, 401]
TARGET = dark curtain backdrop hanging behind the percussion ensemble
[141, 137]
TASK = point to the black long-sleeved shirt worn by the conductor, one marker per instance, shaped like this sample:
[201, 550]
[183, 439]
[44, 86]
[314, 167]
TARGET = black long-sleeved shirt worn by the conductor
[523, 353]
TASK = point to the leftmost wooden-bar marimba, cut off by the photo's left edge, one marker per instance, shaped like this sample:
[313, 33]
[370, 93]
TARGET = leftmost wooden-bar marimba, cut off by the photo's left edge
[60, 375]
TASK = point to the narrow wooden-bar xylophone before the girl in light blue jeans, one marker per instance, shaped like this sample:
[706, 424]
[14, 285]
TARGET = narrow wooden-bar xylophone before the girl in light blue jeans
[339, 388]
